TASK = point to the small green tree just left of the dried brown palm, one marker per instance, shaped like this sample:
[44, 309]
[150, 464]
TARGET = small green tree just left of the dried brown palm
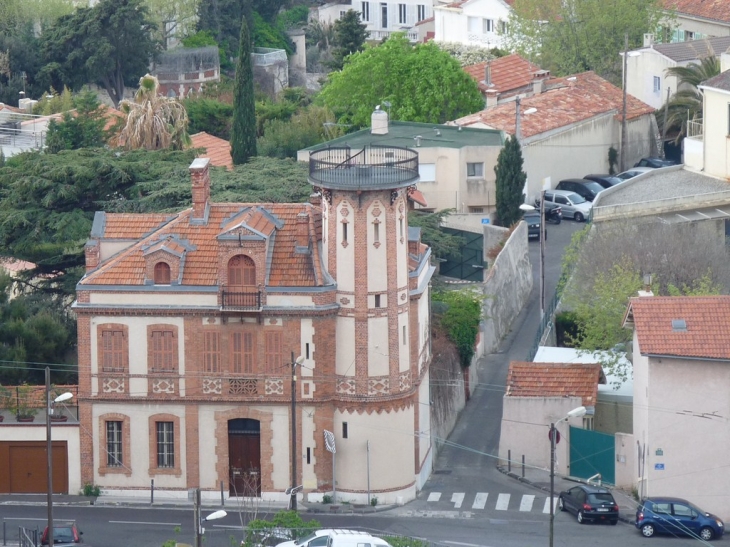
[83, 128]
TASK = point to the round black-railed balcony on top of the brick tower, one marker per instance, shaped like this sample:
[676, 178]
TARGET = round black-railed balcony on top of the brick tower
[372, 168]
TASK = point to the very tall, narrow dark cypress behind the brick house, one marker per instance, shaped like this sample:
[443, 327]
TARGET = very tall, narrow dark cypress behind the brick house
[243, 130]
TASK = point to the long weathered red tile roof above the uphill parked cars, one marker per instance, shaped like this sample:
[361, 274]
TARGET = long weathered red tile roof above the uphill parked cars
[566, 101]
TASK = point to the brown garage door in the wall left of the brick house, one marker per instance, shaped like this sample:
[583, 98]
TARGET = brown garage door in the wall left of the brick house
[24, 464]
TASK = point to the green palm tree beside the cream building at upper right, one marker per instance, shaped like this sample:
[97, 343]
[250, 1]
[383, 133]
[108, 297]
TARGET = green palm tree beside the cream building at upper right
[686, 103]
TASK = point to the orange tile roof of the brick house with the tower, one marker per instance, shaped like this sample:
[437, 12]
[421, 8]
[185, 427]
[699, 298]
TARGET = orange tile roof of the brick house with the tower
[286, 268]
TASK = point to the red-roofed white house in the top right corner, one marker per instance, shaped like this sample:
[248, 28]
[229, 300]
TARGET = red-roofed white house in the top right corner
[693, 19]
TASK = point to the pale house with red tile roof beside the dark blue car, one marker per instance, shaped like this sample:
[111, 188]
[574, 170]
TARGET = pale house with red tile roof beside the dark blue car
[681, 356]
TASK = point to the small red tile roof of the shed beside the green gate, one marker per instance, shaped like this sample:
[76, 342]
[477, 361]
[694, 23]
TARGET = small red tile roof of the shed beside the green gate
[555, 380]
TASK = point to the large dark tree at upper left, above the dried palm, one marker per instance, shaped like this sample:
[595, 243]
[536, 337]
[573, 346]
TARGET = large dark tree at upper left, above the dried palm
[110, 44]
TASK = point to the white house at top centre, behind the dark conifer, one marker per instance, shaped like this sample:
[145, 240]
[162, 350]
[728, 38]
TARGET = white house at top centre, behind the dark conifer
[381, 18]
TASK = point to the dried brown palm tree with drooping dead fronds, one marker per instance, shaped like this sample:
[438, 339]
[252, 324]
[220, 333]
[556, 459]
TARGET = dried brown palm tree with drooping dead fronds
[153, 121]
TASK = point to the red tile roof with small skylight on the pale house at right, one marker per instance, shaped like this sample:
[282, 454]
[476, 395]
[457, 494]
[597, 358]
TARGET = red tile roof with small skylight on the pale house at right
[707, 320]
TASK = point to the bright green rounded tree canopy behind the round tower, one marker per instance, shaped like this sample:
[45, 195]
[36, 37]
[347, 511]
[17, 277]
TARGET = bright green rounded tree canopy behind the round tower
[421, 82]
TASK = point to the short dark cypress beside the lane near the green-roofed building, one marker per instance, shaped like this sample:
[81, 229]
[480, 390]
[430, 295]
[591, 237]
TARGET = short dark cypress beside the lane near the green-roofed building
[510, 183]
